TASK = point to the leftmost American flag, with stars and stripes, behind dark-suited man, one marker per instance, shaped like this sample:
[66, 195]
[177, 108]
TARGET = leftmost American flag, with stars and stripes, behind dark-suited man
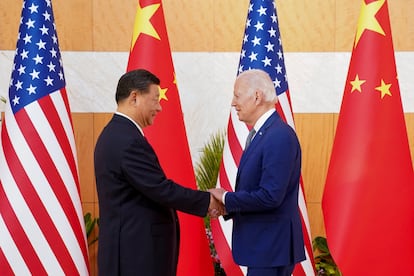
[41, 221]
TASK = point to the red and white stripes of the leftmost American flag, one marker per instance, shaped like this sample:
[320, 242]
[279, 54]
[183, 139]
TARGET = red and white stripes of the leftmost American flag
[41, 222]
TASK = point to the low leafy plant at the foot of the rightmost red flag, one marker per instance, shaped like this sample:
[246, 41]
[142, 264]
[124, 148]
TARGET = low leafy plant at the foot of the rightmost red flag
[324, 263]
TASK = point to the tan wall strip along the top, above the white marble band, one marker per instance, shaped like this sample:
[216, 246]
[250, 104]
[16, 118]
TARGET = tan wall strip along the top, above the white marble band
[209, 25]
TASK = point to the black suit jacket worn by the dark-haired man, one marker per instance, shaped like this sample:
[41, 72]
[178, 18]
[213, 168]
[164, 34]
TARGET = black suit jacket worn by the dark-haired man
[138, 224]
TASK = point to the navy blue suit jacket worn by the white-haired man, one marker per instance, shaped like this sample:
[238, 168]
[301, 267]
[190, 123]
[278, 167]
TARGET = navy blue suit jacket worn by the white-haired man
[267, 228]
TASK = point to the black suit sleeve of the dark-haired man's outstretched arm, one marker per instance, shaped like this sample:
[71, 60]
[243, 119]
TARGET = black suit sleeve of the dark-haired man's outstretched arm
[141, 168]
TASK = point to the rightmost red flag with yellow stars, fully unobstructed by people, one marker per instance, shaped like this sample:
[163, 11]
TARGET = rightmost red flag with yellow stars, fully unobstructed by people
[368, 198]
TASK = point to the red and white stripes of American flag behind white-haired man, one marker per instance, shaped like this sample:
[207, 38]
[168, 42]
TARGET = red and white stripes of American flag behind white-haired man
[237, 132]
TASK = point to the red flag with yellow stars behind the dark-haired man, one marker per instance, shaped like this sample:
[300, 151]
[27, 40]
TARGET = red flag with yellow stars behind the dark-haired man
[150, 49]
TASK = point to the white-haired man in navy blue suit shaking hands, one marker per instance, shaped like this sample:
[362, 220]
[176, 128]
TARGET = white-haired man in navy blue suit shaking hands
[267, 231]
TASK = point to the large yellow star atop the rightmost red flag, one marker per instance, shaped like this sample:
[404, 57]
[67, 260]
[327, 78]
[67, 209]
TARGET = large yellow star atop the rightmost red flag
[367, 20]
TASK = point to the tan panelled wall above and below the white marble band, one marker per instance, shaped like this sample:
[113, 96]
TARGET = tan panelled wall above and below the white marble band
[215, 26]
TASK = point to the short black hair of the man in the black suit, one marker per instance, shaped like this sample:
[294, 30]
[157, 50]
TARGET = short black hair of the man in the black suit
[136, 80]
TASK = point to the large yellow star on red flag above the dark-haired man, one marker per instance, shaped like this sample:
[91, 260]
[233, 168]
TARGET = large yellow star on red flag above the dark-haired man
[142, 23]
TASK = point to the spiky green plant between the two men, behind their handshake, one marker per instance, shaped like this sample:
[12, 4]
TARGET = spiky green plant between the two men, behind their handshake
[206, 172]
